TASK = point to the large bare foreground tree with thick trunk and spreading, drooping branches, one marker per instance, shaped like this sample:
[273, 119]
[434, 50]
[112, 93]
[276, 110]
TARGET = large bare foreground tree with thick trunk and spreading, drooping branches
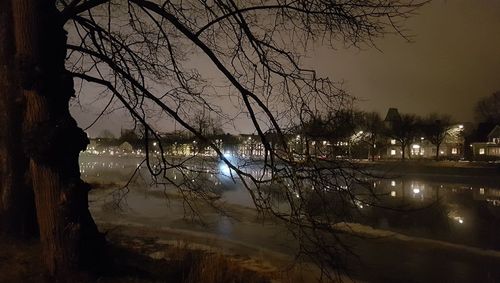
[255, 46]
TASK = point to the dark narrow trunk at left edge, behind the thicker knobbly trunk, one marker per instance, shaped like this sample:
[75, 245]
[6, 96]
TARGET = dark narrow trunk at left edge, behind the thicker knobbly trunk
[17, 207]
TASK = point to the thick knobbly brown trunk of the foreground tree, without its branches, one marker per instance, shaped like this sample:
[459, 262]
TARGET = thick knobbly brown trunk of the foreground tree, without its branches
[71, 243]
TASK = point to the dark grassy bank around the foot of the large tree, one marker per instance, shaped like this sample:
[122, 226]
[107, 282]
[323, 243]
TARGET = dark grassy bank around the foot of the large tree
[138, 260]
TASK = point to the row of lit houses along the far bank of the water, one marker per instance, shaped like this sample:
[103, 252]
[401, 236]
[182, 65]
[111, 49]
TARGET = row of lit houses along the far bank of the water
[454, 146]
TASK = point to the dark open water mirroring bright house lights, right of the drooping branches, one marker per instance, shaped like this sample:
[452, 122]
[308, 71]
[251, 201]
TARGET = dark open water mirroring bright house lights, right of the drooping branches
[448, 211]
